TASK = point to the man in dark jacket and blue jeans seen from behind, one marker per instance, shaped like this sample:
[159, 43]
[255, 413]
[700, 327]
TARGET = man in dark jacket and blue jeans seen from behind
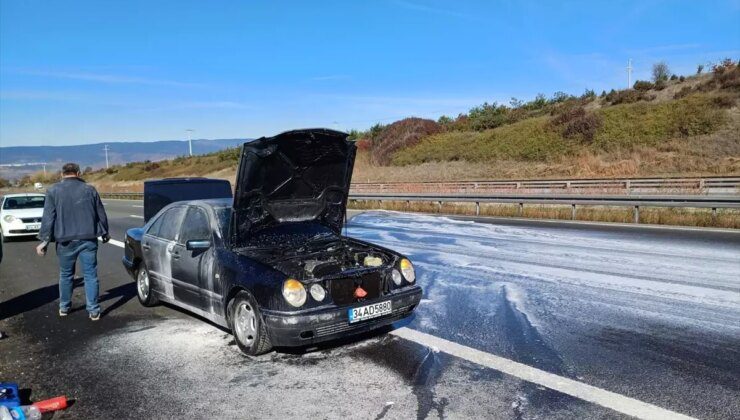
[74, 218]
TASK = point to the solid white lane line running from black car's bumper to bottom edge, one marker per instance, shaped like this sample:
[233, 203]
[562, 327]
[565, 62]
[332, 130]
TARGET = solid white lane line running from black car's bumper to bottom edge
[602, 397]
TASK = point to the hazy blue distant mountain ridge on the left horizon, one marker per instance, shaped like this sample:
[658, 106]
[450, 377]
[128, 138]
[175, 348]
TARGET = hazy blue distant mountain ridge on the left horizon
[93, 154]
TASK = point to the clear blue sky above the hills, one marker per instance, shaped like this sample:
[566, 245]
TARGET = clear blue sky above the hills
[75, 72]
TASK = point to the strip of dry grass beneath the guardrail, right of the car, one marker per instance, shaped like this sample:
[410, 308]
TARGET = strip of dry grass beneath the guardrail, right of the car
[725, 218]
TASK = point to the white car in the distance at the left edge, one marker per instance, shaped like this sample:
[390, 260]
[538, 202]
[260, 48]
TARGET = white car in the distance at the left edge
[20, 214]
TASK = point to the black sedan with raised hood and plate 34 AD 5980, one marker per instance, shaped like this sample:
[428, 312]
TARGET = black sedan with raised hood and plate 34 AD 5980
[271, 264]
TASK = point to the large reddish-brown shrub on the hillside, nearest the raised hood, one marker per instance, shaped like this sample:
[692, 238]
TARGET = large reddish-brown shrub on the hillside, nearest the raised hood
[399, 135]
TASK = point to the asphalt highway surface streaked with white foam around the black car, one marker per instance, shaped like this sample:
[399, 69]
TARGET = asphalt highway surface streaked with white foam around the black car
[519, 320]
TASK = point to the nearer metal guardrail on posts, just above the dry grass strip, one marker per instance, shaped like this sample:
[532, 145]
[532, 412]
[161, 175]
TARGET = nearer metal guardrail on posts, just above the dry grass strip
[634, 201]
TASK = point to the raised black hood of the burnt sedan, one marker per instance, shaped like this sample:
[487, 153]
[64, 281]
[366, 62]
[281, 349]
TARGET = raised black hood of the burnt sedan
[296, 176]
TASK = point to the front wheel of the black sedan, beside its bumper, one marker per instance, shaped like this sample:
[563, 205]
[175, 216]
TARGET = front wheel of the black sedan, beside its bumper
[247, 326]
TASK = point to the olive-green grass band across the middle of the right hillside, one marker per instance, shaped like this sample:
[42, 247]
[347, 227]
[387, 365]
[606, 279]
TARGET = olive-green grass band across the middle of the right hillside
[539, 139]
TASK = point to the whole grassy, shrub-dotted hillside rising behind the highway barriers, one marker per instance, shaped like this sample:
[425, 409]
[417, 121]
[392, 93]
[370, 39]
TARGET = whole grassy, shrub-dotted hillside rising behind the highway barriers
[686, 126]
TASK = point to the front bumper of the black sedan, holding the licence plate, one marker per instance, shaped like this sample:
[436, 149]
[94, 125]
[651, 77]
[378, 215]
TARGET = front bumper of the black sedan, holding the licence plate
[315, 326]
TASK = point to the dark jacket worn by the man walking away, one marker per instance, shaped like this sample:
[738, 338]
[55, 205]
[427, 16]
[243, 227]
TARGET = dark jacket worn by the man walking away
[73, 210]
